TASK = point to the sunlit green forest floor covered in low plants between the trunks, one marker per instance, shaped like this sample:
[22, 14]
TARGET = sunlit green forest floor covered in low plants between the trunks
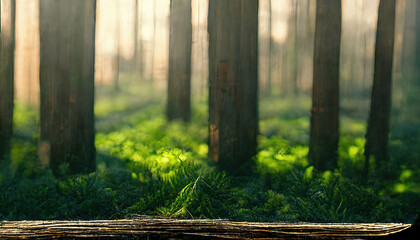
[147, 166]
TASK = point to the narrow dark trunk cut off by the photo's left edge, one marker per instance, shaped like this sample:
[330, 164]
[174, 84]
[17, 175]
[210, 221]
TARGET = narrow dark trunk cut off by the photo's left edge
[7, 60]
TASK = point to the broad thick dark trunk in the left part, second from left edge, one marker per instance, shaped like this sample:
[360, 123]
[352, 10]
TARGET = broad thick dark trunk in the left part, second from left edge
[67, 85]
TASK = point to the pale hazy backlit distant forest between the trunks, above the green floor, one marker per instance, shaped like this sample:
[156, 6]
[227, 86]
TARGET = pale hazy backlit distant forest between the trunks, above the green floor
[291, 25]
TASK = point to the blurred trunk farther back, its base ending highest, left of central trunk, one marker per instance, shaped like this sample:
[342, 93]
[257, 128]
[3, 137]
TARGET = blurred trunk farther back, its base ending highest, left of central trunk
[180, 42]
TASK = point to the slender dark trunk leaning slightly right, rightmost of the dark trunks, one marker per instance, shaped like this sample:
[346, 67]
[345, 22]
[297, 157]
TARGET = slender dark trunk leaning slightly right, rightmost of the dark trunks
[378, 123]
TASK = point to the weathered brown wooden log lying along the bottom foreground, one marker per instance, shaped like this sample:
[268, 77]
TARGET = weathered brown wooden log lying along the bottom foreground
[152, 228]
